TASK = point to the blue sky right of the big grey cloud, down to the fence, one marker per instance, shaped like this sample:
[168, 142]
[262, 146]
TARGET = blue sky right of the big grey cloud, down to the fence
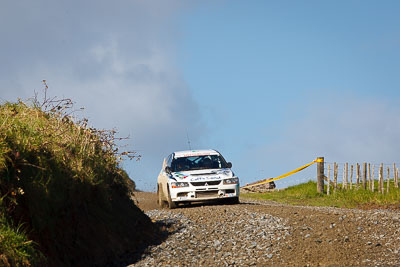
[276, 65]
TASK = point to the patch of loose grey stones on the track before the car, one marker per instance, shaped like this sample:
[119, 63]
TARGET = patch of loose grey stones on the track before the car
[218, 236]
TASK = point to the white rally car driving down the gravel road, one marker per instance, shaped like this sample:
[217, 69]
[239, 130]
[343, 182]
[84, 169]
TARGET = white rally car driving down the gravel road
[196, 175]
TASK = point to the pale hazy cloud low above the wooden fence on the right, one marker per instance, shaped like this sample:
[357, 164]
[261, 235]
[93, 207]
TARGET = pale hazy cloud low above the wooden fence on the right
[345, 128]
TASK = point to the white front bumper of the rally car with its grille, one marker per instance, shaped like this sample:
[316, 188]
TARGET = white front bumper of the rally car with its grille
[201, 191]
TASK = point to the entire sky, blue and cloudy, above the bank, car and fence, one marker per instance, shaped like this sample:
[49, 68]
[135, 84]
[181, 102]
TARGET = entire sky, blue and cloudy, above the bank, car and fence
[270, 84]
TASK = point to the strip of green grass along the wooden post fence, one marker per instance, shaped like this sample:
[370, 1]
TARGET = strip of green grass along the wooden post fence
[306, 194]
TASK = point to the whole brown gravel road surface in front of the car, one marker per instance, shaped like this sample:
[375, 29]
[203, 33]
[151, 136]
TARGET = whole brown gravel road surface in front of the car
[265, 233]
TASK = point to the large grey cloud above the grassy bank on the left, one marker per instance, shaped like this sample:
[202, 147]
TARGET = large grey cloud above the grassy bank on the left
[115, 59]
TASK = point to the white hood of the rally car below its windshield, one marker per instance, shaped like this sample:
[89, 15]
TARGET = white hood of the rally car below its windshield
[202, 175]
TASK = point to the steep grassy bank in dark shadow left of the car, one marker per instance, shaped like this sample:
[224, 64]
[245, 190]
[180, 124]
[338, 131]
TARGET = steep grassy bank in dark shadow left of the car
[63, 193]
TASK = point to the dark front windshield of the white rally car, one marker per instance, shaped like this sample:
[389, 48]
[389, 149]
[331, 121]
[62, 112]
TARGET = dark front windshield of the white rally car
[198, 163]
